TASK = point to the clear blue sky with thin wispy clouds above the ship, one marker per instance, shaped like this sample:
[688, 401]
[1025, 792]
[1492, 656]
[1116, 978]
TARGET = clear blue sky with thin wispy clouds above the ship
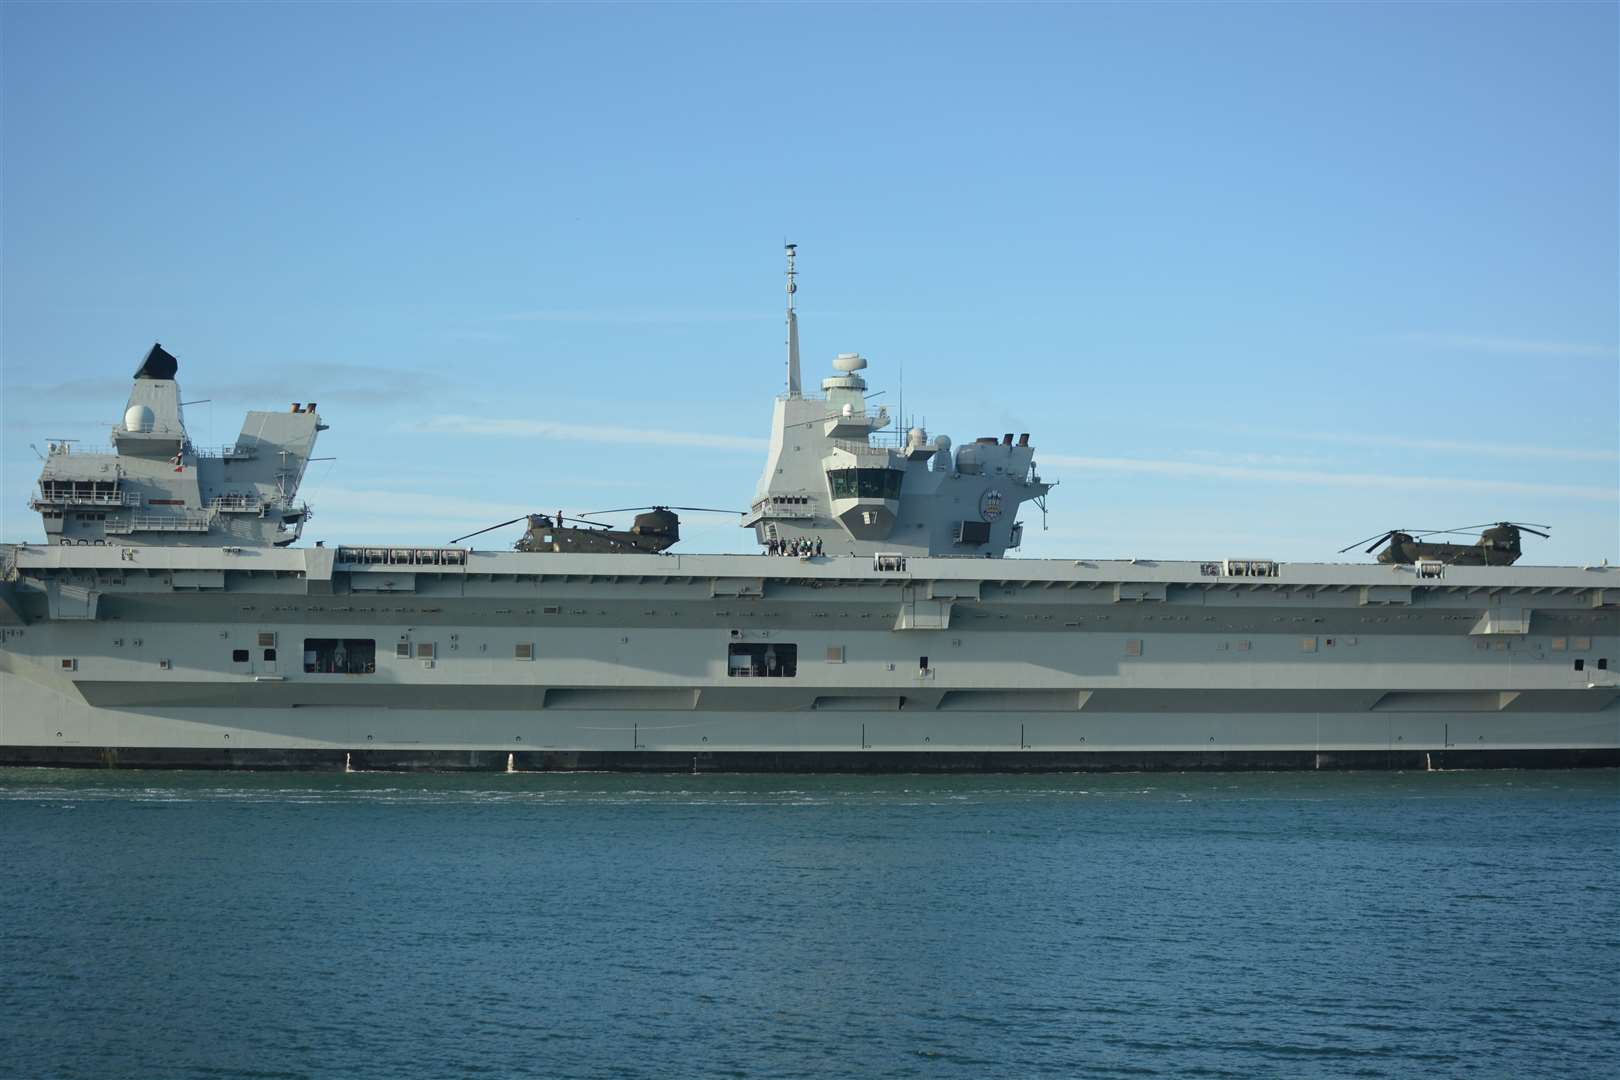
[1260, 279]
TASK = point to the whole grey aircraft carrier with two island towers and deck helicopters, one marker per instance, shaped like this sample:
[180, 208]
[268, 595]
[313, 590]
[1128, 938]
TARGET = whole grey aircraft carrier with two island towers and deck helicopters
[171, 621]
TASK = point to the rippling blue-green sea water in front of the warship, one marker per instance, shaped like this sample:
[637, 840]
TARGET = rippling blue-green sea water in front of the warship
[586, 925]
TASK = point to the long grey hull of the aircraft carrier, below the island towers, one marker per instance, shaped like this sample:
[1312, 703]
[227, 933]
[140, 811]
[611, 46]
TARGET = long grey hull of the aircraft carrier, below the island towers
[514, 661]
